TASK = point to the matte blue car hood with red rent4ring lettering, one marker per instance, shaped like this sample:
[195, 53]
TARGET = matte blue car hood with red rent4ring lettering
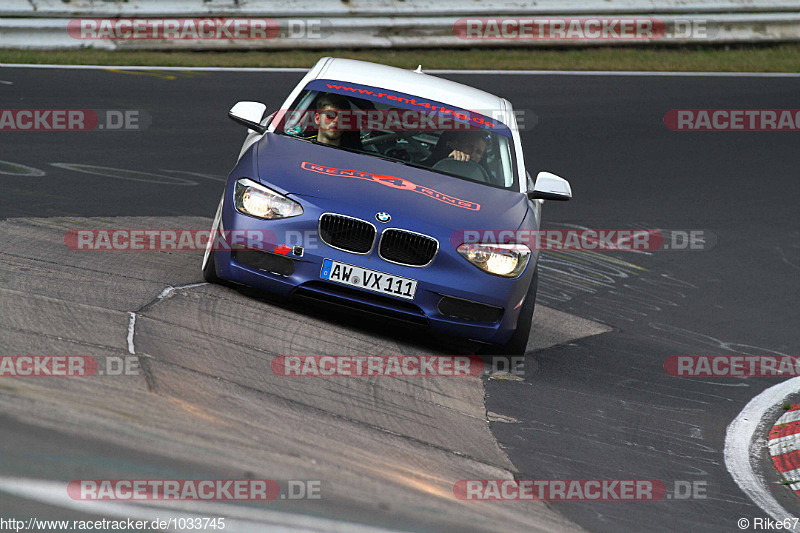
[339, 178]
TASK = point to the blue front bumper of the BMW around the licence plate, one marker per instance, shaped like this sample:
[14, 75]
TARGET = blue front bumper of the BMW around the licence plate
[483, 296]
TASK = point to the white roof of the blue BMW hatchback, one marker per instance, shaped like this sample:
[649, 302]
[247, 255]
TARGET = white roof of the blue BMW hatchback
[411, 82]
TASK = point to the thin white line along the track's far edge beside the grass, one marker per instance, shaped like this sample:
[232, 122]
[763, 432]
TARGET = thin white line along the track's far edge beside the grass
[429, 71]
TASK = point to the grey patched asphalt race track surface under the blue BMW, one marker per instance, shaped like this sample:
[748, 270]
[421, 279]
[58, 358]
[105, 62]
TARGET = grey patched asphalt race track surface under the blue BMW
[595, 401]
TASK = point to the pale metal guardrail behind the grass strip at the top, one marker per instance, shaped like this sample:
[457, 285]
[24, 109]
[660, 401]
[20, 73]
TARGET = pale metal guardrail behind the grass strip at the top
[310, 24]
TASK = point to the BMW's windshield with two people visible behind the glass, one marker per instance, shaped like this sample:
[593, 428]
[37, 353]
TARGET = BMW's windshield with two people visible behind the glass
[468, 146]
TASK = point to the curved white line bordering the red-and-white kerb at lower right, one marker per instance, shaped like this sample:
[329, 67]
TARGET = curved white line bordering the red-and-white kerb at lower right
[739, 455]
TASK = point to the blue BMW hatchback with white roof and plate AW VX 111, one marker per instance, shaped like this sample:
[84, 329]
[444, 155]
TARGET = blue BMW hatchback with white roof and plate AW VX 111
[391, 191]
